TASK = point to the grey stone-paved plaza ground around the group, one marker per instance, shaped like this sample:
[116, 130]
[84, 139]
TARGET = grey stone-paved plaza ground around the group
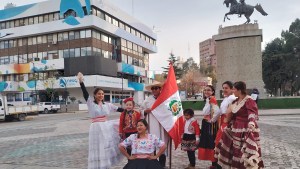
[60, 141]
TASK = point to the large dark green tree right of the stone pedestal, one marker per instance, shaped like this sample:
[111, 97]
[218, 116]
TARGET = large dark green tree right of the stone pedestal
[280, 62]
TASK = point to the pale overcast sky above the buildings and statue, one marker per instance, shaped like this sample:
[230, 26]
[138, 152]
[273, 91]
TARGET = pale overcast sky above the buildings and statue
[182, 24]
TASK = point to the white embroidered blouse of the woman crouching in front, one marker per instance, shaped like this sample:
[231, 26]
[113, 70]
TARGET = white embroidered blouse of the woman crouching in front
[143, 145]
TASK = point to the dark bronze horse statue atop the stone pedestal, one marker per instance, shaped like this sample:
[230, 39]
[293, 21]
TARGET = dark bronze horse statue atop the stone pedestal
[242, 9]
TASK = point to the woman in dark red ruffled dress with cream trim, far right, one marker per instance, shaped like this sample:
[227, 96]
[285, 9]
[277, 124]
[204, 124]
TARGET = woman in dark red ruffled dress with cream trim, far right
[240, 146]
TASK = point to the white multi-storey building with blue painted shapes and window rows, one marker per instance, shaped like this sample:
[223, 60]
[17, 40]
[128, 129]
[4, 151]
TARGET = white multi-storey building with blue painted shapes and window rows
[44, 45]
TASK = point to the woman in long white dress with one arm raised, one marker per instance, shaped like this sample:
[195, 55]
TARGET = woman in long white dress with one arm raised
[103, 136]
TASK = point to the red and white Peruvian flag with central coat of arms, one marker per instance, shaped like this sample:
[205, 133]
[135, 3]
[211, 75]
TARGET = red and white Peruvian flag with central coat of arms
[168, 108]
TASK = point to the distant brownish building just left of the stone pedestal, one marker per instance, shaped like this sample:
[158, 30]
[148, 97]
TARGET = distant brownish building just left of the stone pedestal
[208, 52]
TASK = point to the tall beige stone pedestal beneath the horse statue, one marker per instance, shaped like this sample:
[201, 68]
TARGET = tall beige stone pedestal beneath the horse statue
[239, 56]
